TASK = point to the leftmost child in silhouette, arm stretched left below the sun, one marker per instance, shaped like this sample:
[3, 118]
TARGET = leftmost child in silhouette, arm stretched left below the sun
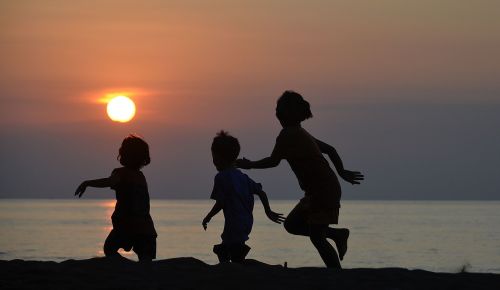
[133, 227]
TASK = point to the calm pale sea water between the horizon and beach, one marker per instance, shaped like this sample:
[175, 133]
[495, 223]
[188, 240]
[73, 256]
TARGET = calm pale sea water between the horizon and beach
[432, 235]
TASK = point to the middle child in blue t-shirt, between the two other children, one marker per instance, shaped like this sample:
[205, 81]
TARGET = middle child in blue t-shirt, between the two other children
[233, 194]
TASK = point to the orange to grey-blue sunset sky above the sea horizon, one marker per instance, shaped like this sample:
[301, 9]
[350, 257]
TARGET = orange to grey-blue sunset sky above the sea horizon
[408, 92]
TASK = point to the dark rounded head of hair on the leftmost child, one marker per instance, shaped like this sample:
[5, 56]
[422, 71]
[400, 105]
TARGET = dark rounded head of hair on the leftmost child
[134, 152]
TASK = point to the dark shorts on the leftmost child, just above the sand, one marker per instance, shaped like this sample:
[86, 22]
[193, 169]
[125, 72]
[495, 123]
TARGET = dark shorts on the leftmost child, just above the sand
[143, 246]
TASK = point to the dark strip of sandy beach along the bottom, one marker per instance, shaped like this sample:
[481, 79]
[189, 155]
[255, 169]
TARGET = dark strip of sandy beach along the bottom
[190, 273]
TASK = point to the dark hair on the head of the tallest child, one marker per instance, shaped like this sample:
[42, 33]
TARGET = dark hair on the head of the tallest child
[291, 106]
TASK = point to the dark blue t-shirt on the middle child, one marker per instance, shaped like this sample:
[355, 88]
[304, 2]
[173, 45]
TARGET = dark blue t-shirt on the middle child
[235, 190]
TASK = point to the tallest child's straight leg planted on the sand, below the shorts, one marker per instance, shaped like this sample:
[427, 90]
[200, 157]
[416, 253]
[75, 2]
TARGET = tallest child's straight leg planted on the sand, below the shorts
[318, 235]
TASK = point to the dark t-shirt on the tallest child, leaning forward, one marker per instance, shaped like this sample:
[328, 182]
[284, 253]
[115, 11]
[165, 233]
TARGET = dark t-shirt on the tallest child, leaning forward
[313, 171]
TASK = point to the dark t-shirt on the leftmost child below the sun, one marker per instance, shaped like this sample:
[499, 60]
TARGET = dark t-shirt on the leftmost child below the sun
[131, 215]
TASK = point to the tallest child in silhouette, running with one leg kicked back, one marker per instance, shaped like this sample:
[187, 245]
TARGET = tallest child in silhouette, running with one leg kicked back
[321, 203]
